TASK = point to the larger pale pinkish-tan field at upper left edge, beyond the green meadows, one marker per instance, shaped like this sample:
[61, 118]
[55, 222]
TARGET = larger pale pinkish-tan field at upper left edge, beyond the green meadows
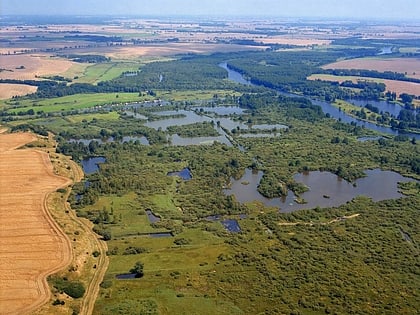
[27, 67]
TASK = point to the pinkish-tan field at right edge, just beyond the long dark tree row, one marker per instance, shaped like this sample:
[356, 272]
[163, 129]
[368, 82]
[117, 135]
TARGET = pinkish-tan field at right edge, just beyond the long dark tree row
[411, 66]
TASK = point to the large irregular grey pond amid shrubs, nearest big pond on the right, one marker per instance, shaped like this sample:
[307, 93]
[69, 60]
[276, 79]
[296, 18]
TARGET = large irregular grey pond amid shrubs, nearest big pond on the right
[325, 189]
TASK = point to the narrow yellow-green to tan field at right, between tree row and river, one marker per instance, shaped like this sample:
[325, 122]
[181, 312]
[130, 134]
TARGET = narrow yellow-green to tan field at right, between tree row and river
[391, 85]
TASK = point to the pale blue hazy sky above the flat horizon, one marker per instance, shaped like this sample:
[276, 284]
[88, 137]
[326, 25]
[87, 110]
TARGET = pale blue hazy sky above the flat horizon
[359, 9]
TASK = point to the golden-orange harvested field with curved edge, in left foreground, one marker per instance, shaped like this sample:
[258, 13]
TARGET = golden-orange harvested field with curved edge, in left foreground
[31, 244]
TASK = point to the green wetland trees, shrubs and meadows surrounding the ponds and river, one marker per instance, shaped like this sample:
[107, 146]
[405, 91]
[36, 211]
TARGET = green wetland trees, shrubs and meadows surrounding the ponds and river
[358, 258]
